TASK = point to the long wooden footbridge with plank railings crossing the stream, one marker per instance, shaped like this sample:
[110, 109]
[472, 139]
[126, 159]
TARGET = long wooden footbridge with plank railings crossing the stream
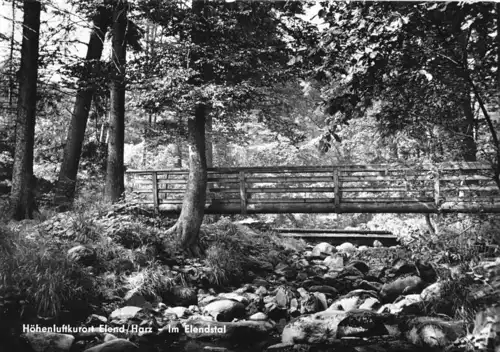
[430, 188]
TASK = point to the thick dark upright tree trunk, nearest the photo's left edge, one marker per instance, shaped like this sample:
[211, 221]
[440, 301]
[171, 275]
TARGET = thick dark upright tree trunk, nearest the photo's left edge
[22, 192]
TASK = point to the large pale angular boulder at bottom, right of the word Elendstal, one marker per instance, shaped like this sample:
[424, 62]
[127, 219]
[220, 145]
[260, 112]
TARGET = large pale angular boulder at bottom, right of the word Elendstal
[318, 328]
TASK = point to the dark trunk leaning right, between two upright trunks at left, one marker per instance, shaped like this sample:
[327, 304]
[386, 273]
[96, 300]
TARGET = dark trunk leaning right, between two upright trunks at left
[66, 183]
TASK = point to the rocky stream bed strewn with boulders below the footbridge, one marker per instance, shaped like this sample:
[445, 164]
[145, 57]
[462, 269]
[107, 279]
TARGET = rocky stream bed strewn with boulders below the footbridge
[321, 299]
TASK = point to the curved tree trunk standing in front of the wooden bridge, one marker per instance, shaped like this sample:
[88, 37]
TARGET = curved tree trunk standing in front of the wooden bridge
[188, 225]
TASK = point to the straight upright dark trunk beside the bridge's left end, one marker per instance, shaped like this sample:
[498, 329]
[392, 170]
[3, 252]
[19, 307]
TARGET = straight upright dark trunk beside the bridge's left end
[114, 171]
